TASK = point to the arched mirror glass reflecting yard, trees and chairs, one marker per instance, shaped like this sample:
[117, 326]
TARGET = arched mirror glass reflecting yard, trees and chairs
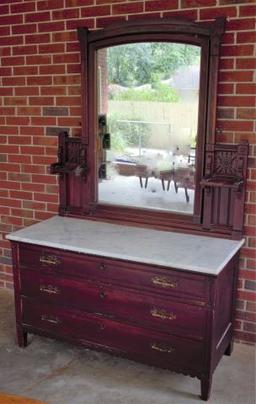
[148, 97]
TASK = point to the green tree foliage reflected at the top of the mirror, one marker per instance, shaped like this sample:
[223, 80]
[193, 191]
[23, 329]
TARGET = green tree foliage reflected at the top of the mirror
[136, 64]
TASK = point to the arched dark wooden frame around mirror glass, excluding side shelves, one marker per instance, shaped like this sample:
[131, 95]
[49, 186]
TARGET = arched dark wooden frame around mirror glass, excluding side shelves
[167, 30]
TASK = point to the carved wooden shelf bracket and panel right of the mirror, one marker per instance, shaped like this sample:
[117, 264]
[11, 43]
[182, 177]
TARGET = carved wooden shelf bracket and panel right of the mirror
[224, 185]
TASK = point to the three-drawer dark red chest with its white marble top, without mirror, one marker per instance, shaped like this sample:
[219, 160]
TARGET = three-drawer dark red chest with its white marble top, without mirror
[157, 297]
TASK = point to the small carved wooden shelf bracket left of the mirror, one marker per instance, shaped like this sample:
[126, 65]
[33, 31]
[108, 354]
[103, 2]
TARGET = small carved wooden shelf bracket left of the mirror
[71, 156]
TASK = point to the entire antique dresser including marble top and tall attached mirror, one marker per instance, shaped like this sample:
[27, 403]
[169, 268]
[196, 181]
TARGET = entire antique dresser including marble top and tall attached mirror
[153, 283]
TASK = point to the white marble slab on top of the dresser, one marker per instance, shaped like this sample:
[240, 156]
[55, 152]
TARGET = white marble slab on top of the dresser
[176, 250]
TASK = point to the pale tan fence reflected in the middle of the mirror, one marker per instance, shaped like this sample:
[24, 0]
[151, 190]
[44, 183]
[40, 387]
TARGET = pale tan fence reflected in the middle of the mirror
[157, 125]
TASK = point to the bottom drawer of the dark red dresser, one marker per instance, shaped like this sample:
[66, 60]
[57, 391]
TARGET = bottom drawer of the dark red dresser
[135, 342]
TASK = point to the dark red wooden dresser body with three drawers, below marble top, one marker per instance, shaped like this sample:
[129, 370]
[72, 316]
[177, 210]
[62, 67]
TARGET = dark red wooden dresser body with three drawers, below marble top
[169, 318]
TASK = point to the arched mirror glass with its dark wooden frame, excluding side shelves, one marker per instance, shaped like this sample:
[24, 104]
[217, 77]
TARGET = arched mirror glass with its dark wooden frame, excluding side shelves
[145, 131]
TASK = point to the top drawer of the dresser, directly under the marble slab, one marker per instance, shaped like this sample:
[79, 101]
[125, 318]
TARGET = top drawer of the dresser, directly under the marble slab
[112, 271]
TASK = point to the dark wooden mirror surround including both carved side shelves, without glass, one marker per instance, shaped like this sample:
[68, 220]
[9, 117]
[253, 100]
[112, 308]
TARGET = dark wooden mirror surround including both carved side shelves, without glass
[221, 169]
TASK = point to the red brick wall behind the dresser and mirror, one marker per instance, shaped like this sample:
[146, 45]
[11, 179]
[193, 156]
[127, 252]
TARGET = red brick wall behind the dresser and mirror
[40, 93]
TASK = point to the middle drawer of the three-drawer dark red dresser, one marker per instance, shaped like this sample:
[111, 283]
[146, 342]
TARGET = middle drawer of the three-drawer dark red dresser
[133, 307]
